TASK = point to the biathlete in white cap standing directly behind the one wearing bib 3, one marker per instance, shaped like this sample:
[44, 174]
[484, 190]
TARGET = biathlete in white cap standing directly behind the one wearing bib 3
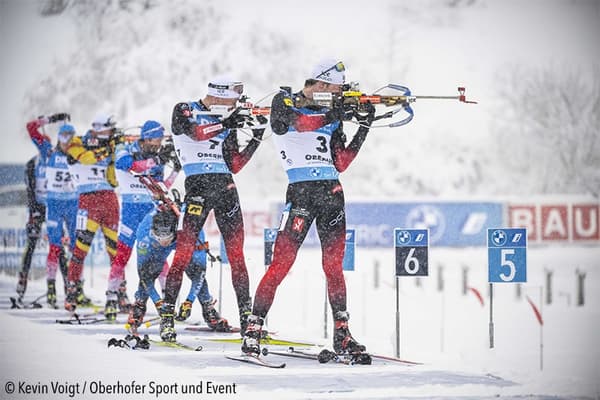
[208, 149]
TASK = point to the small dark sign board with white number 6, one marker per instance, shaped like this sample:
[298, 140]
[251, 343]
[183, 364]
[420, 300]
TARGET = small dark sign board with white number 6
[412, 246]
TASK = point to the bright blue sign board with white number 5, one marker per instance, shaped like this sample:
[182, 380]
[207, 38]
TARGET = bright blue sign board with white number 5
[507, 255]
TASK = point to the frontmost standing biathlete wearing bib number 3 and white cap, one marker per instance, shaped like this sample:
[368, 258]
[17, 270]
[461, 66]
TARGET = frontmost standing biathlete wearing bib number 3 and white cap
[312, 148]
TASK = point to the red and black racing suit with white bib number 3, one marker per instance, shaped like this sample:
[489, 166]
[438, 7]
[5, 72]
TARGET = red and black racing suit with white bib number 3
[313, 152]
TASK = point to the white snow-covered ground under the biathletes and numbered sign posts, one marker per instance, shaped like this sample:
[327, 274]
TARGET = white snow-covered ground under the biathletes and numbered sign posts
[446, 330]
